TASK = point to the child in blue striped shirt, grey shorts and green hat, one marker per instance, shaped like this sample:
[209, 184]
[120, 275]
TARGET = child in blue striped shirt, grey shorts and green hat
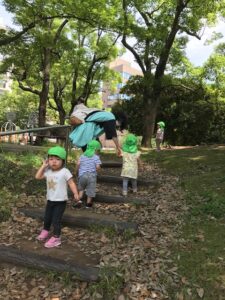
[88, 165]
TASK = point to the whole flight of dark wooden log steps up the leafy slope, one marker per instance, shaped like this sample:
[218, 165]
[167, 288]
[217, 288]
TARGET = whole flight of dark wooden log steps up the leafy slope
[28, 253]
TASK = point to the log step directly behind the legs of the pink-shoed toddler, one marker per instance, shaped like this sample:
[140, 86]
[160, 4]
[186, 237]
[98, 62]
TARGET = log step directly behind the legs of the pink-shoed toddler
[84, 219]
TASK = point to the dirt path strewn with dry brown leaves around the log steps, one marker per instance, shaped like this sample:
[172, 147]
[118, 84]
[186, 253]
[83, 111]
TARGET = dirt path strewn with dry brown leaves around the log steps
[143, 260]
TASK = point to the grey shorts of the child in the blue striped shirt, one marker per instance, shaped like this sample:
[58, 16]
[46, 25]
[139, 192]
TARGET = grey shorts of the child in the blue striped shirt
[88, 182]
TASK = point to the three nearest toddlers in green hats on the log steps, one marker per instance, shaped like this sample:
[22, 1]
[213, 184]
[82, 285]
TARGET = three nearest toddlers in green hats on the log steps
[58, 178]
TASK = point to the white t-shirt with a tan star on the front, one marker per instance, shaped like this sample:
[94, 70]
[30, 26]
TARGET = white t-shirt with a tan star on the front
[57, 184]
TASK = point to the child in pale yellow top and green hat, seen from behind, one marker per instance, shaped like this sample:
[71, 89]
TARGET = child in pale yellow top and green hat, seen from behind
[131, 159]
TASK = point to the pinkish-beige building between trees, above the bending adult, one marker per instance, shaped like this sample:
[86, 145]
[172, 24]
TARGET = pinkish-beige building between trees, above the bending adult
[126, 70]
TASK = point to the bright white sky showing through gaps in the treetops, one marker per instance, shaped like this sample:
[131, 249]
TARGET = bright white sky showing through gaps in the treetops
[196, 51]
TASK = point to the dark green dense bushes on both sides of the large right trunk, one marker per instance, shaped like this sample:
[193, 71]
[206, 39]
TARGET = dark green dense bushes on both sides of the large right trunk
[189, 110]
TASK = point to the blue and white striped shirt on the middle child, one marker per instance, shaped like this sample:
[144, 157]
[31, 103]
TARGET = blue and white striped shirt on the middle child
[88, 164]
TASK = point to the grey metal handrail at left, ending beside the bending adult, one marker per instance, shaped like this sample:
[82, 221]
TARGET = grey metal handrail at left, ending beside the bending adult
[66, 127]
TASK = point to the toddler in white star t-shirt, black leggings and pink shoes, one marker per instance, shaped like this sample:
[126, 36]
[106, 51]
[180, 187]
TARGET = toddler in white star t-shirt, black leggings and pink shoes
[57, 178]
